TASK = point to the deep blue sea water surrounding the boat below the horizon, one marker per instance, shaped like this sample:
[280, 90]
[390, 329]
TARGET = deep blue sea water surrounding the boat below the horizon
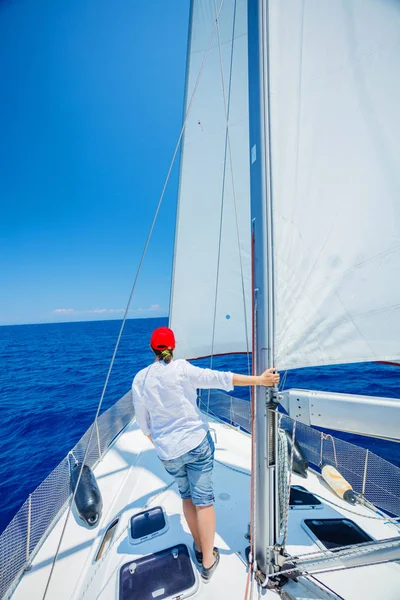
[52, 376]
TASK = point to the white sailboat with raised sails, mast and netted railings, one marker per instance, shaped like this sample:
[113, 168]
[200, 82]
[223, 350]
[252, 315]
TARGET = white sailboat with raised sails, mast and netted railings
[287, 247]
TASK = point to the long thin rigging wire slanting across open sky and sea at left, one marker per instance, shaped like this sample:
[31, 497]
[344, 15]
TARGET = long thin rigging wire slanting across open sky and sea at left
[131, 296]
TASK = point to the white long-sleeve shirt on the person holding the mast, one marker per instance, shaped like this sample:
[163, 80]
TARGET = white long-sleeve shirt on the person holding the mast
[164, 396]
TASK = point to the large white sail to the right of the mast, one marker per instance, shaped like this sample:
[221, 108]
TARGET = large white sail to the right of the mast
[335, 119]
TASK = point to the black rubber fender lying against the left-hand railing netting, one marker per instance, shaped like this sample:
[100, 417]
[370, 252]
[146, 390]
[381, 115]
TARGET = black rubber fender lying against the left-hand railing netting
[88, 500]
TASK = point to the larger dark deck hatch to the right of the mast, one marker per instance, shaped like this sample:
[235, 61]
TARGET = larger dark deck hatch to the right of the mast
[336, 533]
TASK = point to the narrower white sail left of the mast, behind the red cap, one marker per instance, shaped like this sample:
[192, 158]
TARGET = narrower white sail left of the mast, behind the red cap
[203, 286]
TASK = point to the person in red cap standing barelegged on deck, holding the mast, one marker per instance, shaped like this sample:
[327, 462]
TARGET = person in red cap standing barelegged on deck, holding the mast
[164, 395]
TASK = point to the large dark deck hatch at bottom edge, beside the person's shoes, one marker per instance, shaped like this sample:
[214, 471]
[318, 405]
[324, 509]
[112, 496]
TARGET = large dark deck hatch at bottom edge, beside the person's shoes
[165, 574]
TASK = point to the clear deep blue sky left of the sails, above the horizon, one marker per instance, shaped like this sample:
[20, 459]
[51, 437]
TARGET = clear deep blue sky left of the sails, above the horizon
[90, 110]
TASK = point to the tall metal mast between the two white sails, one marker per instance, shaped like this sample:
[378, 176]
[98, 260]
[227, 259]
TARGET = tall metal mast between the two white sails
[266, 520]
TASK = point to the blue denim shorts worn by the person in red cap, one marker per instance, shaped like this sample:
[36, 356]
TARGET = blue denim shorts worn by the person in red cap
[193, 472]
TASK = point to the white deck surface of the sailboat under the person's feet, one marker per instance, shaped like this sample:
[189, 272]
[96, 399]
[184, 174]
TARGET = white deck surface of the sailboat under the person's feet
[131, 477]
